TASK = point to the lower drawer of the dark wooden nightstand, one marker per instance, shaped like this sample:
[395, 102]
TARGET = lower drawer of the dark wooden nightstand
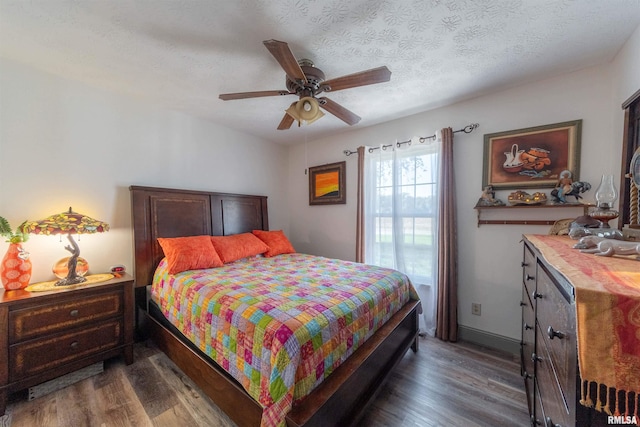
[33, 357]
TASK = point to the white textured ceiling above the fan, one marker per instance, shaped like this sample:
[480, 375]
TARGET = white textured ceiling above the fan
[180, 54]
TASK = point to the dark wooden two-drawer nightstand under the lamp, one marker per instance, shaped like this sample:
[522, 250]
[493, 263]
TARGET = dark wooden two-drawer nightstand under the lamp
[48, 334]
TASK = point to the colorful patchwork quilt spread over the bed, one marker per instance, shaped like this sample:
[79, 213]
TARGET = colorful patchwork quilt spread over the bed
[280, 325]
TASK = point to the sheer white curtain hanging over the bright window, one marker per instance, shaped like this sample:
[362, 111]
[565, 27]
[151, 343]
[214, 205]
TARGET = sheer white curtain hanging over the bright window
[400, 216]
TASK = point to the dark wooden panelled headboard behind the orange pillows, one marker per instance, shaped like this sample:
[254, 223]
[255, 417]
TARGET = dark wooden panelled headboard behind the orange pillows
[164, 212]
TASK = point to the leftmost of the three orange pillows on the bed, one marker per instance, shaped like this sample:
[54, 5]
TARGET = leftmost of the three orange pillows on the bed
[189, 253]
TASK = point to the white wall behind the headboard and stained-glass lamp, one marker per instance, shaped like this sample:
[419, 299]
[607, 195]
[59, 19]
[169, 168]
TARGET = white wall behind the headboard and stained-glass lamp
[66, 144]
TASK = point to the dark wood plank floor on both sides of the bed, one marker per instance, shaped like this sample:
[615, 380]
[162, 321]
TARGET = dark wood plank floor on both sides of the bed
[442, 385]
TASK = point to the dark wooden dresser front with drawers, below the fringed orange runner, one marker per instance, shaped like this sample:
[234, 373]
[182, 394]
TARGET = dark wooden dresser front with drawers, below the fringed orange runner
[549, 348]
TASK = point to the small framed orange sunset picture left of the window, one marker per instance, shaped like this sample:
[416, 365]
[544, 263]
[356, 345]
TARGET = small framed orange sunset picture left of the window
[327, 184]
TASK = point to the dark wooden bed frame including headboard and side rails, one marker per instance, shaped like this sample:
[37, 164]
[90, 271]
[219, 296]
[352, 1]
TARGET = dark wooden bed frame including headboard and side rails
[340, 400]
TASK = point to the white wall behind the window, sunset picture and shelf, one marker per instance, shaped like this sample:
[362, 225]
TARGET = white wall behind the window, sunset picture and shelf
[489, 256]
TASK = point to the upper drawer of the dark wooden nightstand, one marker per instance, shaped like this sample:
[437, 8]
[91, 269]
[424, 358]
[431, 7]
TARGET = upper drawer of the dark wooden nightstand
[48, 319]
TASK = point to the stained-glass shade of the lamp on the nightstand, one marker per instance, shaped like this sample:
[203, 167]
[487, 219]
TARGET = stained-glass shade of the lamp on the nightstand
[69, 222]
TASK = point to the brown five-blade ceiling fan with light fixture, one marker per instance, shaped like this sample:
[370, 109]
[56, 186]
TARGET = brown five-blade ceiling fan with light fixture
[306, 81]
